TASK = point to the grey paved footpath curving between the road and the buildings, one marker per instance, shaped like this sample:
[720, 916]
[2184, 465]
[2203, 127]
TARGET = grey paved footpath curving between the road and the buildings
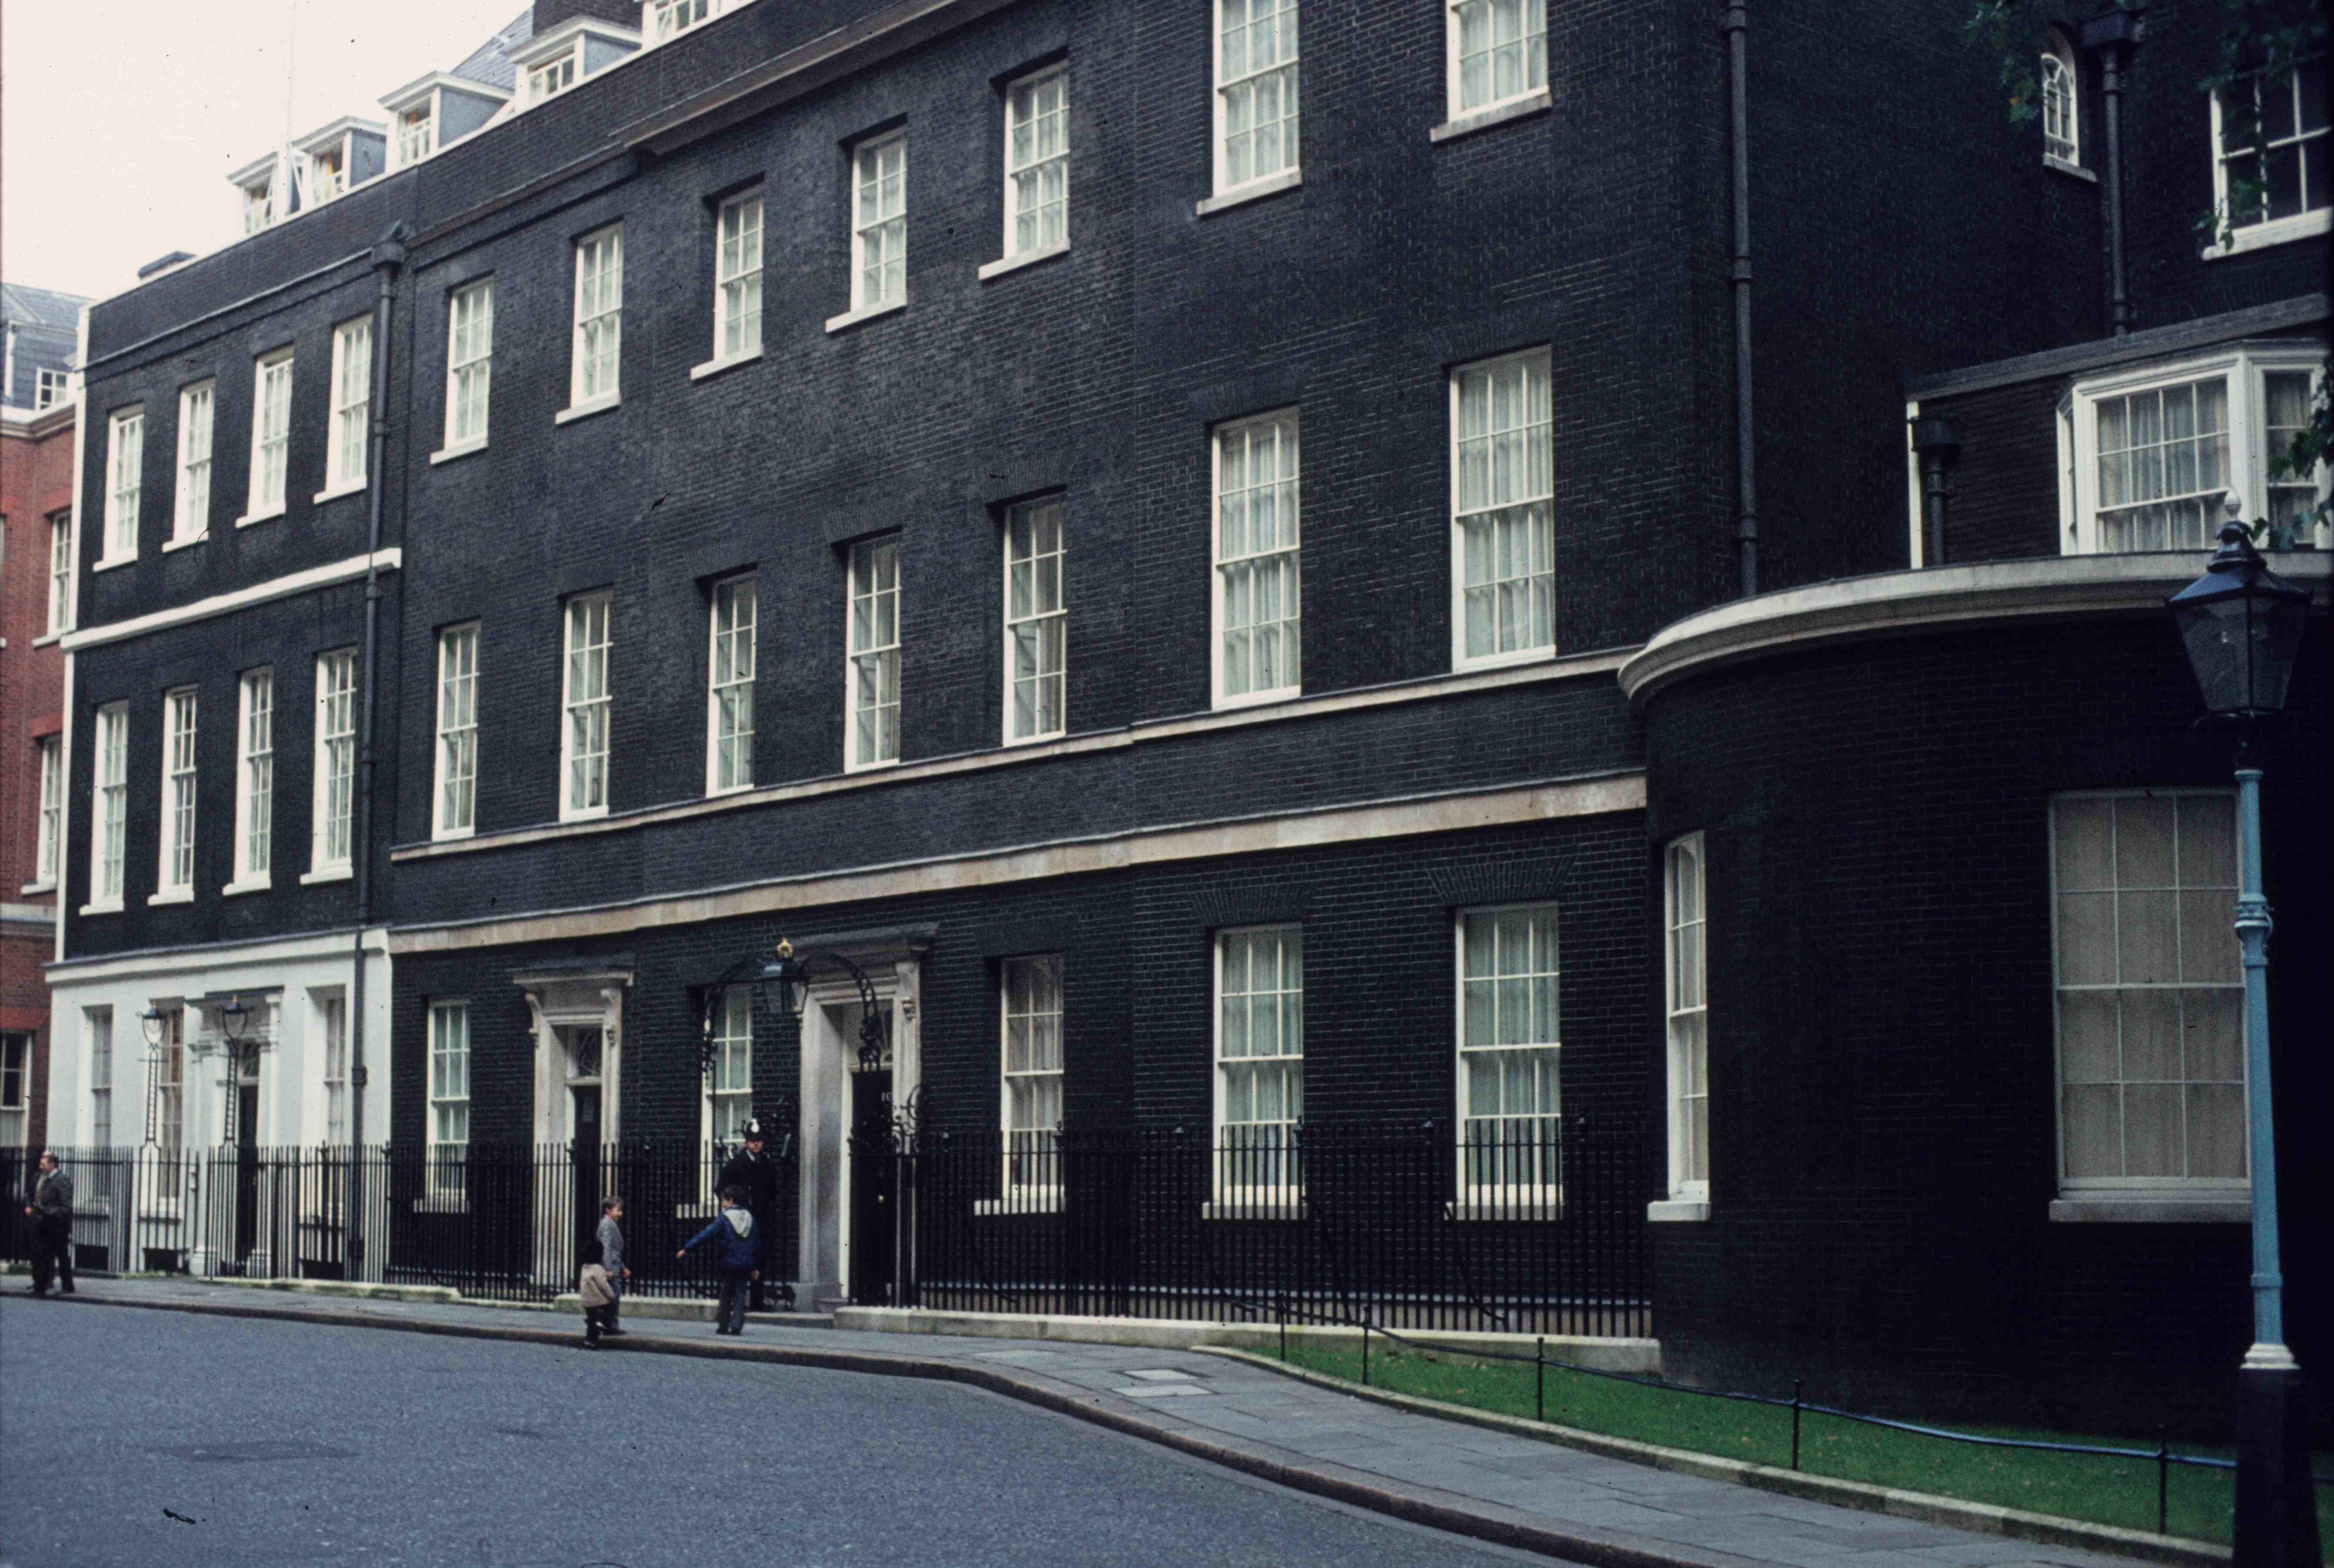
[1488, 1485]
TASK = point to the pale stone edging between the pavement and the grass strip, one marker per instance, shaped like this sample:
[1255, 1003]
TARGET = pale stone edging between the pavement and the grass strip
[1894, 1501]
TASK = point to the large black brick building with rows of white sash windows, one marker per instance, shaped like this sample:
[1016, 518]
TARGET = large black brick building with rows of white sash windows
[848, 477]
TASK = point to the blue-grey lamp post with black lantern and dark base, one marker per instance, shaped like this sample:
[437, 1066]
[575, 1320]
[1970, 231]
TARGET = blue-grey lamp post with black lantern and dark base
[2242, 626]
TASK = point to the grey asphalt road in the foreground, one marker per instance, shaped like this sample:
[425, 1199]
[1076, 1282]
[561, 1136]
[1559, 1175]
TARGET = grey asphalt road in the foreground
[146, 1438]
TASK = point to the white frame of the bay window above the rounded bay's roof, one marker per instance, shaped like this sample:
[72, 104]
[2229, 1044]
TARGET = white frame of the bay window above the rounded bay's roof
[2244, 365]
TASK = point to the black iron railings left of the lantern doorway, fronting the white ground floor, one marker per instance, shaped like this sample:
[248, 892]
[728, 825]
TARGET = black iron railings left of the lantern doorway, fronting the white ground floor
[489, 1221]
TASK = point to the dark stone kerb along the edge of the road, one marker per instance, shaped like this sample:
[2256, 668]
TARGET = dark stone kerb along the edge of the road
[1467, 1518]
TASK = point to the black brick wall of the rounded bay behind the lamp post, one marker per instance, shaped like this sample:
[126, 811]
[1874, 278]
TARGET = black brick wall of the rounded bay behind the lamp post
[1882, 1086]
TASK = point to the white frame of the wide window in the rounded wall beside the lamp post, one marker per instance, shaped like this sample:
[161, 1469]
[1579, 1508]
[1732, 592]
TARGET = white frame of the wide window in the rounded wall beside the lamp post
[2235, 983]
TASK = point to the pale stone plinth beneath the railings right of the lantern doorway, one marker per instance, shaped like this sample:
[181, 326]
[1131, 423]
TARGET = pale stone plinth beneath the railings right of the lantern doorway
[1640, 1357]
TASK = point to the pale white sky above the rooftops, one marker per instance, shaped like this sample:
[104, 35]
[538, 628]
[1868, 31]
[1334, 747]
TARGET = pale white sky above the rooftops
[123, 118]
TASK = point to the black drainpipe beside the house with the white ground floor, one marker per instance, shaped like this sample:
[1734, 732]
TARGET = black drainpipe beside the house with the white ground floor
[389, 260]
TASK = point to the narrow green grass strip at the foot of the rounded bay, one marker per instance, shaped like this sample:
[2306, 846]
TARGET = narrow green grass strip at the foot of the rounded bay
[2069, 1485]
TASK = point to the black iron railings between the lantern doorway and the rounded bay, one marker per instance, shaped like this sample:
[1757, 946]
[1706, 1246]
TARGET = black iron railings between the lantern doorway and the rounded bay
[1516, 1228]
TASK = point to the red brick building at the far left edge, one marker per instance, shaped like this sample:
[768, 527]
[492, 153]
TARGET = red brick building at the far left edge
[39, 419]
